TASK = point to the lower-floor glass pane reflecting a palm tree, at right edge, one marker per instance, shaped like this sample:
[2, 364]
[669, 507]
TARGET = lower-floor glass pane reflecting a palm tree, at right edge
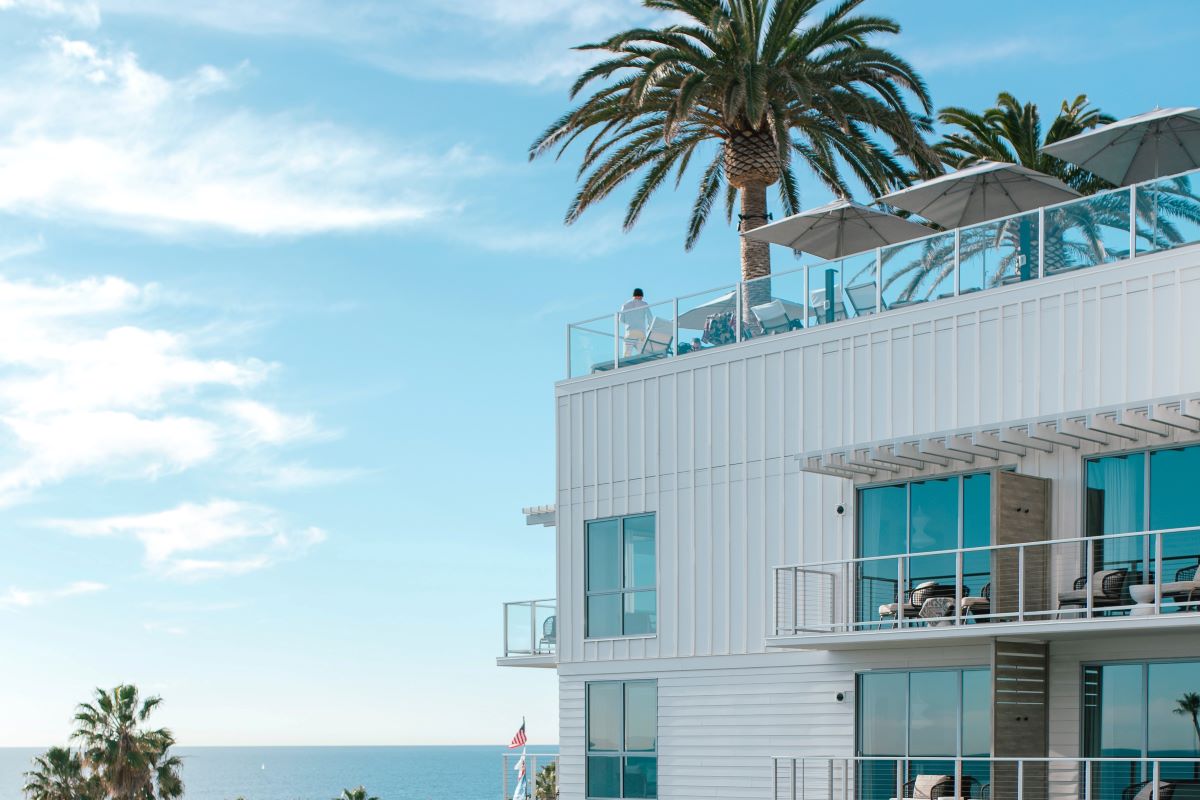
[1174, 709]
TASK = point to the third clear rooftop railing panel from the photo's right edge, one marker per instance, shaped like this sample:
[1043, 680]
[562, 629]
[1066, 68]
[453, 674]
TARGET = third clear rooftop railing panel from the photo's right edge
[999, 254]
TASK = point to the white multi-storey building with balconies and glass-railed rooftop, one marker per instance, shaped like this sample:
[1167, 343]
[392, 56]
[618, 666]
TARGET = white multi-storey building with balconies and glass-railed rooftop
[736, 525]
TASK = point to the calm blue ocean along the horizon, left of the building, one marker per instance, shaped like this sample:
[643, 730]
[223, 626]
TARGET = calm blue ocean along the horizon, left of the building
[319, 773]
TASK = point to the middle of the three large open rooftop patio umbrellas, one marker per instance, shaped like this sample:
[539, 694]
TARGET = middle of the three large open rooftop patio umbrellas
[981, 193]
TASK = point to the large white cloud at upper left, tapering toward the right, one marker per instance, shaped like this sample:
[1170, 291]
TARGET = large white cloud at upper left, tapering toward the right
[91, 134]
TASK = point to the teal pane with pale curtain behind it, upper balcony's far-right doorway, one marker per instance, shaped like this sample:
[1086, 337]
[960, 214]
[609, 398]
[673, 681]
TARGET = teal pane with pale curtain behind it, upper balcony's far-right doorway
[1115, 504]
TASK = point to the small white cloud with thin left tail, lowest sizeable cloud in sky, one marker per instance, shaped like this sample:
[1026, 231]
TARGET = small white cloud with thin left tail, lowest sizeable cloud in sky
[206, 540]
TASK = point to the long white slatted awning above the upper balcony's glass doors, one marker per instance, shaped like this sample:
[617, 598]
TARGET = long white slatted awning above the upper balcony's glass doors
[938, 452]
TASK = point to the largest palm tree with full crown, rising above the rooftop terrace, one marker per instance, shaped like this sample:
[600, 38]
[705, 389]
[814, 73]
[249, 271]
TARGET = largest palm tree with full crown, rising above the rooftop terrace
[765, 82]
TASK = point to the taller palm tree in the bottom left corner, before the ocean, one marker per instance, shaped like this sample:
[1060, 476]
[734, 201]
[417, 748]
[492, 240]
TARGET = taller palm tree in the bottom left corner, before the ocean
[129, 761]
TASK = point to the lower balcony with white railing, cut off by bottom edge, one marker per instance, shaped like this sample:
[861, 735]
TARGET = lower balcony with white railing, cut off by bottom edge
[987, 779]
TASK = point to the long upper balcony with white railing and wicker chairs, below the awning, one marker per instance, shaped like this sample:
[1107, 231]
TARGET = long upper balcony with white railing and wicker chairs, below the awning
[1141, 581]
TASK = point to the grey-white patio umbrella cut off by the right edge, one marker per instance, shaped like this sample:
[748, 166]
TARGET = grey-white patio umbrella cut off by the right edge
[1163, 142]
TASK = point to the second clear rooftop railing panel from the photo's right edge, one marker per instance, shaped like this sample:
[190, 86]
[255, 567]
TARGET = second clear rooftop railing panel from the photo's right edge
[1088, 232]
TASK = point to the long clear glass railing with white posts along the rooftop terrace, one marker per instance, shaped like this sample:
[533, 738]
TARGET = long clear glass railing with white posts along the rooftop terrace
[1099, 230]
